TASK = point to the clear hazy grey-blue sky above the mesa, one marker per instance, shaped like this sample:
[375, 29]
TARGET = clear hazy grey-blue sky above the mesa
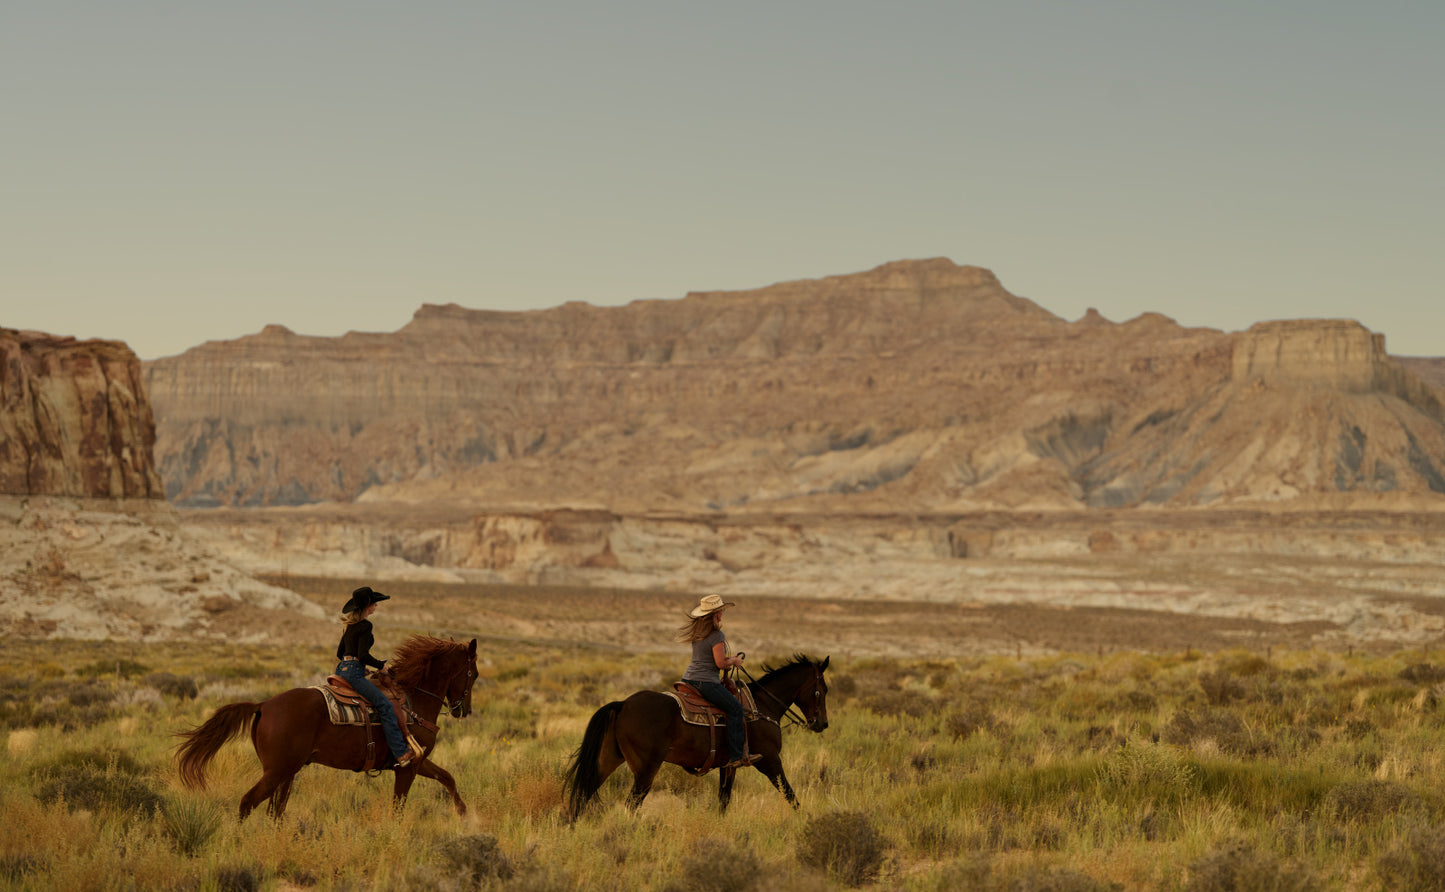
[190, 171]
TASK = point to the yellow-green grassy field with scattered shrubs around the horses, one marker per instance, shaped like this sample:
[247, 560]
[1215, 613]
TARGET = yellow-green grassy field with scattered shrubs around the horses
[1194, 771]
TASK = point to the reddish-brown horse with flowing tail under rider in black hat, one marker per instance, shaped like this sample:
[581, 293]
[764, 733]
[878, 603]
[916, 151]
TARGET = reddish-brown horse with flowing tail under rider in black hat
[293, 729]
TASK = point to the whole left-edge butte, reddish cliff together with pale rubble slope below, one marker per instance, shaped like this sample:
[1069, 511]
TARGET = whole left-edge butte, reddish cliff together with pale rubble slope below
[89, 549]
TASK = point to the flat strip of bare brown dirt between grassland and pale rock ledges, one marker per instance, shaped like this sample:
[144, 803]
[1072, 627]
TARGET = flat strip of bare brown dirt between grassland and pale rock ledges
[771, 628]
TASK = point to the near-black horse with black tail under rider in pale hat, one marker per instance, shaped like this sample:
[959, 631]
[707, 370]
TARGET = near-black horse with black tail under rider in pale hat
[647, 731]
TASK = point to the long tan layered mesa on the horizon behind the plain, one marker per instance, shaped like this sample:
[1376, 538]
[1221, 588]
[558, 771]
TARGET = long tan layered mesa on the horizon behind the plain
[918, 387]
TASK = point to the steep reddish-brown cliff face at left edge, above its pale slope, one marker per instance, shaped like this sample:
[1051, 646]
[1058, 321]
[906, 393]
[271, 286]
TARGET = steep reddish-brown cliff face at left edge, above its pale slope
[74, 420]
